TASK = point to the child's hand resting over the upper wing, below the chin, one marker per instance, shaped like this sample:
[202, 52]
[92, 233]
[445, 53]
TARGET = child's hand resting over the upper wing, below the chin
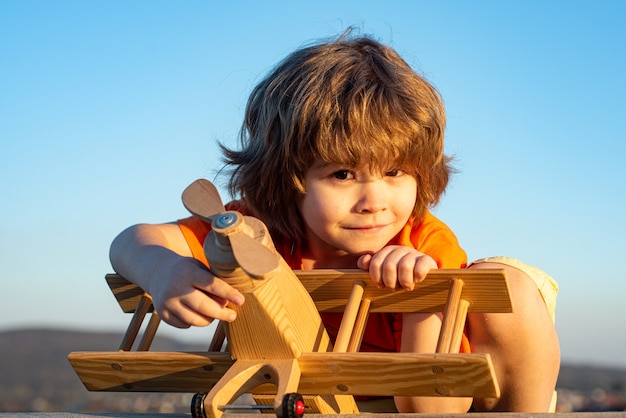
[397, 267]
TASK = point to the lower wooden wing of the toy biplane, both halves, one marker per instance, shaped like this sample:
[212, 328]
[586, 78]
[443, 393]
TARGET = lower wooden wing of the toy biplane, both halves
[383, 374]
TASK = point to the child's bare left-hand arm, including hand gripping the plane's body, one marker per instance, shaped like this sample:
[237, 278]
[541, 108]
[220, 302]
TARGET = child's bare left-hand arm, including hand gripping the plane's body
[184, 292]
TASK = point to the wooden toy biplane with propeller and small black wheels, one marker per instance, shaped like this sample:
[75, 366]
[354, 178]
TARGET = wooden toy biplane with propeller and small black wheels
[279, 350]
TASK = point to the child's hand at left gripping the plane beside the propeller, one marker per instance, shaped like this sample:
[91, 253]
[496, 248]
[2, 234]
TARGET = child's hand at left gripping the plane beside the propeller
[191, 296]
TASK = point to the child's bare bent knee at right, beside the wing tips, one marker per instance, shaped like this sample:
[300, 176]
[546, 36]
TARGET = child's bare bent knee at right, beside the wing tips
[523, 345]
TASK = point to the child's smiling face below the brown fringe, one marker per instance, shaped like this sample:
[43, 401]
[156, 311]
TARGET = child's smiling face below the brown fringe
[352, 210]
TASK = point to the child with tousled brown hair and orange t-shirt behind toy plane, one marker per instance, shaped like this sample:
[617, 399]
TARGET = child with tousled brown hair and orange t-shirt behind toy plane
[342, 156]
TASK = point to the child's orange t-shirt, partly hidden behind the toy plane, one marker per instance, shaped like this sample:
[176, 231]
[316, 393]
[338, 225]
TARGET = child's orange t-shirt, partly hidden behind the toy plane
[383, 330]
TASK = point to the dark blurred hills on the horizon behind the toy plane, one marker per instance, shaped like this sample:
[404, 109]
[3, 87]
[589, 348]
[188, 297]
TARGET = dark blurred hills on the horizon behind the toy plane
[37, 377]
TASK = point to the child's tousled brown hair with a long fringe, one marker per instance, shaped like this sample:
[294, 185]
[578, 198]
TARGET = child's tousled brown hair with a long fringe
[350, 101]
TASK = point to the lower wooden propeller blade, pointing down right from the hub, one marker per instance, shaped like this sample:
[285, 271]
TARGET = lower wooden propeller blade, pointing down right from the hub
[254, 258]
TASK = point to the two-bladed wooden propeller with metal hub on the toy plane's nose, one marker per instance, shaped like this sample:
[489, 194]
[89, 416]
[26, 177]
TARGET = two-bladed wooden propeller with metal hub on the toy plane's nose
[202, 200]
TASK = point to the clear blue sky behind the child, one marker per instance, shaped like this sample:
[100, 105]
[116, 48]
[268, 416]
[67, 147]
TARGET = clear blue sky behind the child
[108, 109]
